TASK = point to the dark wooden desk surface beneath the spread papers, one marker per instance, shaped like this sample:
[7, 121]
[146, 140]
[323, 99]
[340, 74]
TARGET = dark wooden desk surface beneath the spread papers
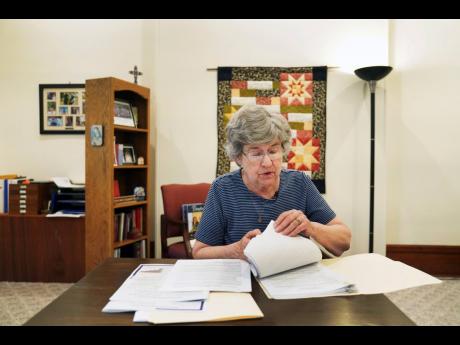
[82, 304]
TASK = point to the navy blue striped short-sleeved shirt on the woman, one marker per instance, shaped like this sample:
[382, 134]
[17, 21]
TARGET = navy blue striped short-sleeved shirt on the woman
[231, 210]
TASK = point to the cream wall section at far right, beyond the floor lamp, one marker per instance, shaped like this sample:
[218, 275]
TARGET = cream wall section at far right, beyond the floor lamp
[423, 129]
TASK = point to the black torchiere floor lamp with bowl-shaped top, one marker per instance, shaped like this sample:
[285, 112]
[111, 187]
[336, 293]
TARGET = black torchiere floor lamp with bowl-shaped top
[372, 74]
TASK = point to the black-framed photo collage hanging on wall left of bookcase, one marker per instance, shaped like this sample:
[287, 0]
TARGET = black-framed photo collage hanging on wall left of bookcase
[62, 108]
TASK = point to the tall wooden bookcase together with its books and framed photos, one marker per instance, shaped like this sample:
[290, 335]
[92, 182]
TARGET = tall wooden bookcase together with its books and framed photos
[114, 179]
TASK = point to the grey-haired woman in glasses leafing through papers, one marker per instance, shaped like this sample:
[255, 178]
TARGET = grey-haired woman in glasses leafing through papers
[242, 202]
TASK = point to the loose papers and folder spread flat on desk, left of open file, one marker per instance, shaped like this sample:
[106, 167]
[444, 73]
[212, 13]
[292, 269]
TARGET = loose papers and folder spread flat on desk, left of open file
[181, 292]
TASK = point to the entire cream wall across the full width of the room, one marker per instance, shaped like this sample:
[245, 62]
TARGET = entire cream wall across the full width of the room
[416, 137]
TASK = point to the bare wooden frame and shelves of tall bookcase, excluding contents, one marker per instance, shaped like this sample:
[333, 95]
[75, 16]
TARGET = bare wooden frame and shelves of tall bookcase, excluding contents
[101, 240]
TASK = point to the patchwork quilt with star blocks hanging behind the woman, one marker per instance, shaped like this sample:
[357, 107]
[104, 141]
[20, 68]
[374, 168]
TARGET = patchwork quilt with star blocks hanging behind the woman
[297, 93]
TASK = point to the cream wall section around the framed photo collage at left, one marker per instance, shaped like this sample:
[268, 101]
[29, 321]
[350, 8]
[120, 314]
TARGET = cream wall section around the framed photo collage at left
[55, 52]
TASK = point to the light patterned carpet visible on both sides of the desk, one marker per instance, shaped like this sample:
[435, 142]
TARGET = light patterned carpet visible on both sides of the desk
[430, 305]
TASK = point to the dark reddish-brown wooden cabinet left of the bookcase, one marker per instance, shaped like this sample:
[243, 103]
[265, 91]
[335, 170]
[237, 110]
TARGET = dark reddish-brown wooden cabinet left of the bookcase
[41, 249]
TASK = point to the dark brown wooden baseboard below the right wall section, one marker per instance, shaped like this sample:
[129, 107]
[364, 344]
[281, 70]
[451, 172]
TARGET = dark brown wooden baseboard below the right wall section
[434, 260]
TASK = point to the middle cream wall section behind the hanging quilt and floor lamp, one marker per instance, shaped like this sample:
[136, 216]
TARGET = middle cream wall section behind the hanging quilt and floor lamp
[186, 96]
